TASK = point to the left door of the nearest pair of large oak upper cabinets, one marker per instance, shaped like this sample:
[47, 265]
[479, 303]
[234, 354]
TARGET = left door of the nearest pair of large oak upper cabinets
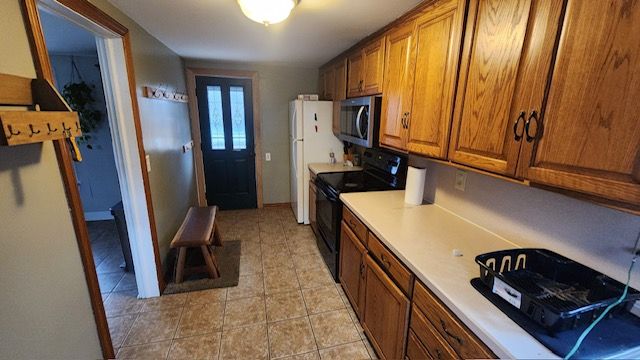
[507, 50]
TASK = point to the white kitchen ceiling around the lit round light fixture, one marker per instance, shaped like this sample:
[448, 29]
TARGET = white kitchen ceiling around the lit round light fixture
[316, 31]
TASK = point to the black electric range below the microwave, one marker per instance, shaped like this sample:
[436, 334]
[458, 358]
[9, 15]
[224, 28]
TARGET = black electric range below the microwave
[382, 170]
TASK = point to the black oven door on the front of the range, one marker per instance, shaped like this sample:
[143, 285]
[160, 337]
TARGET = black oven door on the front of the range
[328, 217]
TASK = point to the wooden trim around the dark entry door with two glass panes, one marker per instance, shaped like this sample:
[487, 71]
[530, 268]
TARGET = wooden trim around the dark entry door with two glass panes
[191, 74]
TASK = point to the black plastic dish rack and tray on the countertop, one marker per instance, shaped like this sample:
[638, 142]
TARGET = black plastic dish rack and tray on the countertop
[554, 291]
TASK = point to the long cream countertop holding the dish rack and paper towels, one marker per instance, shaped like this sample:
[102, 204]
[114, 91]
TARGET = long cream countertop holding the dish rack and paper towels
[423, 237]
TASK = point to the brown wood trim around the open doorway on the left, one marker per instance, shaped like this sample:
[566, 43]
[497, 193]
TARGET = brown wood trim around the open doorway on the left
[42, 63]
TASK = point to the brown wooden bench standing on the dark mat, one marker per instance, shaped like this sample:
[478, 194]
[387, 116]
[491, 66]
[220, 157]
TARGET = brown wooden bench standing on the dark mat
[198, 230]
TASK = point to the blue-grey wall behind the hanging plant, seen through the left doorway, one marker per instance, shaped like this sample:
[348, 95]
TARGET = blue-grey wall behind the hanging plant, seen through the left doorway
[97, 174]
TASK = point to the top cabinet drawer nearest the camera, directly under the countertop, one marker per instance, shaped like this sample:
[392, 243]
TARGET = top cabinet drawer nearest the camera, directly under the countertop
[465, 344]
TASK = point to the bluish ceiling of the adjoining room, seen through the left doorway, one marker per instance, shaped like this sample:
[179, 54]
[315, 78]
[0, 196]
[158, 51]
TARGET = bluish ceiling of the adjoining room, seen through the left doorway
[64, 37]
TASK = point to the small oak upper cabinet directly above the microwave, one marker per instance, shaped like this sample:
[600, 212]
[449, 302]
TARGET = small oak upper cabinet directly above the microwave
[366, 69]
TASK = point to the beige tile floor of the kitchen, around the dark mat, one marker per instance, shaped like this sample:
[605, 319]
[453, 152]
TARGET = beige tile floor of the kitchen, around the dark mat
[286, 305]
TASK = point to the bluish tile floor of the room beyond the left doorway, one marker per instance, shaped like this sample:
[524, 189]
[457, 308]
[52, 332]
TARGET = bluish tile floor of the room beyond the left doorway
[107, 256]
